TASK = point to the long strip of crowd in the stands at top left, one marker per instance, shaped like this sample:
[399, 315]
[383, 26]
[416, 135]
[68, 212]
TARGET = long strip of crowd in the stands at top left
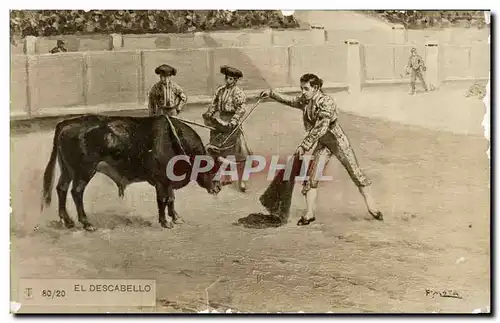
[63, 22]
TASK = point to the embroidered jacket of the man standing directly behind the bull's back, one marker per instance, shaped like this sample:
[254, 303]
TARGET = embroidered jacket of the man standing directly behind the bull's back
[168, 95]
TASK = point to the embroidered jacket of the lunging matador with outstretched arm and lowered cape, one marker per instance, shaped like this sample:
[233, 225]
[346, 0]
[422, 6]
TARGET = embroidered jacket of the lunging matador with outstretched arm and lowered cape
[319, 115]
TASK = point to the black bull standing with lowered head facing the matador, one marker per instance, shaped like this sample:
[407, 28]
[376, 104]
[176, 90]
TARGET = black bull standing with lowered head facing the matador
[128, 150]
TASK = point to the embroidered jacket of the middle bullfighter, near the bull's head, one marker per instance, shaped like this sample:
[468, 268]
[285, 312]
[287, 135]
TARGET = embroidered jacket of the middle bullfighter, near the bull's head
[230, 101]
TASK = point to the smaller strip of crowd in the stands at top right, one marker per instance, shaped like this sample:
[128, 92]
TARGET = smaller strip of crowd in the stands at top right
[416, 19]
